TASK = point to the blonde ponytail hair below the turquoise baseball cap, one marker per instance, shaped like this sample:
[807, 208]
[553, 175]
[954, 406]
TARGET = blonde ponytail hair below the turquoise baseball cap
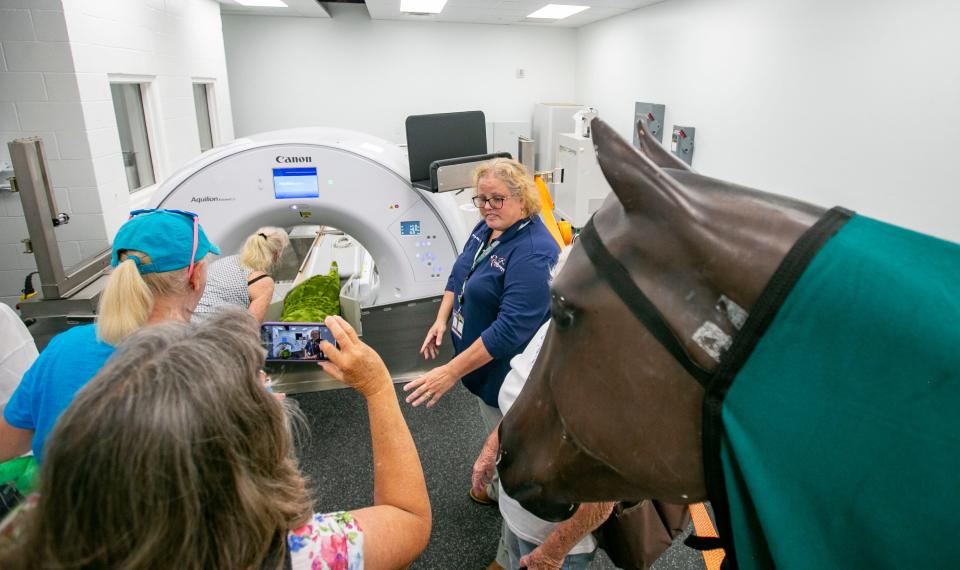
[128, 297]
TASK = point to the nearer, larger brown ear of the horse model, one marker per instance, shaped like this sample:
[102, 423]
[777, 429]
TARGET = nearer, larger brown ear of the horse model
[638, 182]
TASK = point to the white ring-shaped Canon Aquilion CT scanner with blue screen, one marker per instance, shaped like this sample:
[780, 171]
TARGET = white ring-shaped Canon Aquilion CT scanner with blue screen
[329, 177]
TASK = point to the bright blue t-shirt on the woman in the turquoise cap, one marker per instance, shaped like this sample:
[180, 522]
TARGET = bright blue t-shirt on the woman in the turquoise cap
[70, 360]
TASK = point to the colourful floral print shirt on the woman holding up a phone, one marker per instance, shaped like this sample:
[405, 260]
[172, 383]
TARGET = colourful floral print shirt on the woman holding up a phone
[332, 541]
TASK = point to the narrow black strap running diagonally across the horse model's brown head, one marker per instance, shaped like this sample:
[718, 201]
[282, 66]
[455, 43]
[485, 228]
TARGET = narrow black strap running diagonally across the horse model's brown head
[618, 278]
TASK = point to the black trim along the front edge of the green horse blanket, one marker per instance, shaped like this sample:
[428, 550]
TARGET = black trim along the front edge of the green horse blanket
[791, 268]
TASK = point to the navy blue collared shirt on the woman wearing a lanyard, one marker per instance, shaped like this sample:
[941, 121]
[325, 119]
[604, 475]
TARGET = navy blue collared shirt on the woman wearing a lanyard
[506, 299]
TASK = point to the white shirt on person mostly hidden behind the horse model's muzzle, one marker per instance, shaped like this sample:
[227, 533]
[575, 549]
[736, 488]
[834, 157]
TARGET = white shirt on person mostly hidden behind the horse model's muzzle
[522, 522]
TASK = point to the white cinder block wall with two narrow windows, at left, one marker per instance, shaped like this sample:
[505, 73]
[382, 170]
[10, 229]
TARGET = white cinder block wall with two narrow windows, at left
[58, 59]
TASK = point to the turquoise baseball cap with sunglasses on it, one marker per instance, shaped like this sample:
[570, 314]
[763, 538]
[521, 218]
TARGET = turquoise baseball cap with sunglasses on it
[172, 238]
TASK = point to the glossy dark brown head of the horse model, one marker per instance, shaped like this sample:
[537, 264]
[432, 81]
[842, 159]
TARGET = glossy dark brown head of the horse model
[701, 251]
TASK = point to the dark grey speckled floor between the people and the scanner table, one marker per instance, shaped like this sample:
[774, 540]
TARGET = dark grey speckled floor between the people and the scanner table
[336, 454]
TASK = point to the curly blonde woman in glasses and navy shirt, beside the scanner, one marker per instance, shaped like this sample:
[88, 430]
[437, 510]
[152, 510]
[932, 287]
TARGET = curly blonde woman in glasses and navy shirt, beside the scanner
[497, 295]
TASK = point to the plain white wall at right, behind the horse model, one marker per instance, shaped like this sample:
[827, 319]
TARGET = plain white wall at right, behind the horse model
[855, 103]
